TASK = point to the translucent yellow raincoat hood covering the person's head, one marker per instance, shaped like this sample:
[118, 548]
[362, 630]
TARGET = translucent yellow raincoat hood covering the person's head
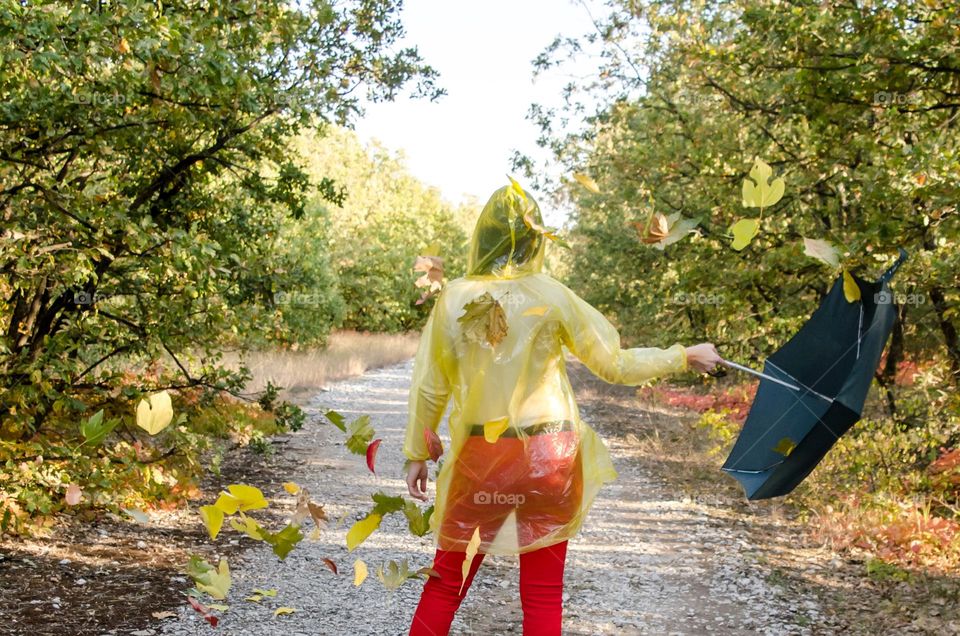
[504, 245]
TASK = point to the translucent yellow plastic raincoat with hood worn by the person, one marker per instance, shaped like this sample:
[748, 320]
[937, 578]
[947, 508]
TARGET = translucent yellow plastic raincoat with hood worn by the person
[522, 466]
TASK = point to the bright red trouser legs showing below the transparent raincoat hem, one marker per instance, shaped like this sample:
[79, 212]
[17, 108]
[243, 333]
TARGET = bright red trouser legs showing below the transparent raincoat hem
[541, 590]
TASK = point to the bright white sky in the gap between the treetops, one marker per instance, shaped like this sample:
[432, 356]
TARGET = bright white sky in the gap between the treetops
[462, 143]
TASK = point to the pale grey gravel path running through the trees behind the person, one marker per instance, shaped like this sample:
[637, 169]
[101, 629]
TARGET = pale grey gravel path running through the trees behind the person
[644, 563]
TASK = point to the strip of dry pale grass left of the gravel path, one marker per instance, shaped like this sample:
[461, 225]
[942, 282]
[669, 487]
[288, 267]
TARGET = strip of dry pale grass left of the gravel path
[303, 372]
